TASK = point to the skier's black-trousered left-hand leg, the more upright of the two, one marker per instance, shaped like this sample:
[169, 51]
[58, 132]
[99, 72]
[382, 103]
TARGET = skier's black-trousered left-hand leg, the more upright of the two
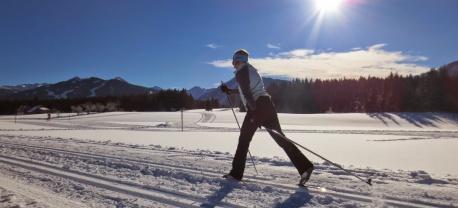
[246, 134]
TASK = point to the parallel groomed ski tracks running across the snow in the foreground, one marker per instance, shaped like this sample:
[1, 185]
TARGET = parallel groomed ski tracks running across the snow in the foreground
[158, 194]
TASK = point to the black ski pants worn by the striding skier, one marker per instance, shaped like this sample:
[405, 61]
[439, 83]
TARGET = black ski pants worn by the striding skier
[268, 119]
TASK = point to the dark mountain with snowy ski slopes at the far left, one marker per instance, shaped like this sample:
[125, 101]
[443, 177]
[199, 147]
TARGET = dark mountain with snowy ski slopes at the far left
[80, 87]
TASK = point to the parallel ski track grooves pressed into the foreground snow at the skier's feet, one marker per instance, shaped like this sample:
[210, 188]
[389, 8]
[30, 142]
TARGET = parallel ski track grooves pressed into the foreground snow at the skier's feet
[344, 194]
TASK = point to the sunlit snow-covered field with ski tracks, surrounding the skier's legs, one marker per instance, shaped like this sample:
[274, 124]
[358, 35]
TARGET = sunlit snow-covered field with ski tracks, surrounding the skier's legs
[130, 159]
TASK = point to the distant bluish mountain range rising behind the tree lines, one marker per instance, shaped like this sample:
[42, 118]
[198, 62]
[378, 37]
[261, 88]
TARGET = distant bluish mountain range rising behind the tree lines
[94, 87]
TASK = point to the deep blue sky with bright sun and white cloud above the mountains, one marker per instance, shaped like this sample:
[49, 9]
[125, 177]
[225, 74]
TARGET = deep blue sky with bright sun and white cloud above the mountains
[184, 43]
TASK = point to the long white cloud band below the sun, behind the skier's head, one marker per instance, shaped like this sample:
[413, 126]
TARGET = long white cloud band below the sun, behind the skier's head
[305, 63]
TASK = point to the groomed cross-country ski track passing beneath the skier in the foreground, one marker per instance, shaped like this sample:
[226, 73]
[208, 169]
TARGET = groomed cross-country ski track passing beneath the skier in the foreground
[167, 196]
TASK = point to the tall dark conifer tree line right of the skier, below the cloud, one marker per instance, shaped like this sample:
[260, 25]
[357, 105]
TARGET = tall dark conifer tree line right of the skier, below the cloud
[435, 91]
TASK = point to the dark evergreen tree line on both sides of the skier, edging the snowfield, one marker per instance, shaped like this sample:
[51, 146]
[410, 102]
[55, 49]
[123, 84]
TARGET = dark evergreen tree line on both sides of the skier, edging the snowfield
[435, 91]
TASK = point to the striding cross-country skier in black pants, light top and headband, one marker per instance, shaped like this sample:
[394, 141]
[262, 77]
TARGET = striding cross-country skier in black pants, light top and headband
[260, 112]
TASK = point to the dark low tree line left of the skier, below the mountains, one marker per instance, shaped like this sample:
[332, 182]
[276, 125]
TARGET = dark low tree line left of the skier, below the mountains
[165, 100]
